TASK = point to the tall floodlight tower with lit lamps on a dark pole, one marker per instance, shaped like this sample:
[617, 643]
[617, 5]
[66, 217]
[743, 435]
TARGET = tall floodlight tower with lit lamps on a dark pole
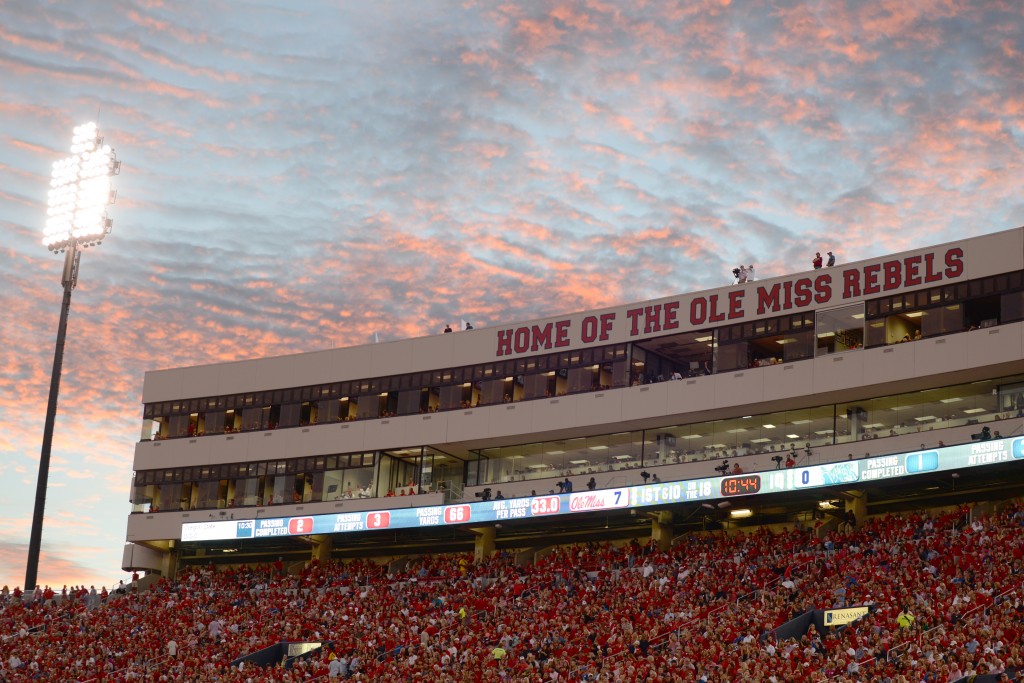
[76, 219]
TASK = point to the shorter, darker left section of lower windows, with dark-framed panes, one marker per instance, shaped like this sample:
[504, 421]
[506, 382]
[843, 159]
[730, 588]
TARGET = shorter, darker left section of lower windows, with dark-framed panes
[311, 480]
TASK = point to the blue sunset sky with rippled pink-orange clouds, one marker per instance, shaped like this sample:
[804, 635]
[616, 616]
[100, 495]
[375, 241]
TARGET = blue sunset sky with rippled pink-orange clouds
[300, 177]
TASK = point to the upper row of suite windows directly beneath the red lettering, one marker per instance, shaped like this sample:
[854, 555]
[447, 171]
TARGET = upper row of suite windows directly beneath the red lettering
[787, 338]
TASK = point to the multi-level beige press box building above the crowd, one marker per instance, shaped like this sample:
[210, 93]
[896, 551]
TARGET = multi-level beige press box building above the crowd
[907, 354]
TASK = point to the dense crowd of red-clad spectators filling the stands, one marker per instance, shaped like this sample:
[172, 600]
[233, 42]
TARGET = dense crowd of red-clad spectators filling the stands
[941, 589]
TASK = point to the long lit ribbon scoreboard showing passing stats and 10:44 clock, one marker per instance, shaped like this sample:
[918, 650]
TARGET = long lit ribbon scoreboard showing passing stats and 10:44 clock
[850, 473]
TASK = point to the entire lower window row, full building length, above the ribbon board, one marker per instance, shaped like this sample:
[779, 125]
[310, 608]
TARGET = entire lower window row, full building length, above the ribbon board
[772, 436]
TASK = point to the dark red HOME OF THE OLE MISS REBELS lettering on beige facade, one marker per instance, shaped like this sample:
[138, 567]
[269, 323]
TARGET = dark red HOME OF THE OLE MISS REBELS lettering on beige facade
[752, 301]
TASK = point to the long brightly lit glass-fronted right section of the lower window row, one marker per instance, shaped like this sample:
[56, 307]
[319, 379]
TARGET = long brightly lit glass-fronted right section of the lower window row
[857, 424]
